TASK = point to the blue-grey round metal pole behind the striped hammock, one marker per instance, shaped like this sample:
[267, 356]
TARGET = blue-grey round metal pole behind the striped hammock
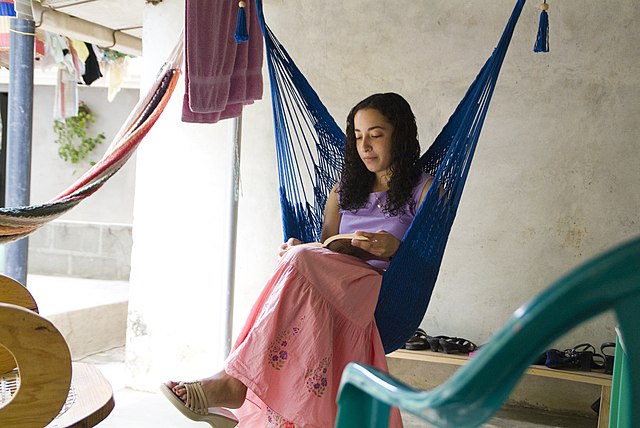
[19, 133]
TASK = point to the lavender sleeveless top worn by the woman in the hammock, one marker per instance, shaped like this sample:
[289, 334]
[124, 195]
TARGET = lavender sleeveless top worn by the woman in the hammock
[371, 218]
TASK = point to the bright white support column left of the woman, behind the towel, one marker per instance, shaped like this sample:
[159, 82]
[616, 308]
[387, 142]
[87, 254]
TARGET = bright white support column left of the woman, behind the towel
[176, 315]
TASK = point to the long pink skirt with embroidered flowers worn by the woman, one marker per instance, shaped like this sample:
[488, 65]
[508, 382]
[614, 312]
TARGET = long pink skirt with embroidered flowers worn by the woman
[314, 316]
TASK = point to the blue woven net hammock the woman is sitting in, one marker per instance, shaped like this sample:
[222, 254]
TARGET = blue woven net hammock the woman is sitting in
[309, 147]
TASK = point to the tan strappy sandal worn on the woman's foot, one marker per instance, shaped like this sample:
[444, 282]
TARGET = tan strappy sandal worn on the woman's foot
[196, 407]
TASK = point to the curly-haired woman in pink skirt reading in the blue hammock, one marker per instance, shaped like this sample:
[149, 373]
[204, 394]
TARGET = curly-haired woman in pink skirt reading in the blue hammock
[316, 313]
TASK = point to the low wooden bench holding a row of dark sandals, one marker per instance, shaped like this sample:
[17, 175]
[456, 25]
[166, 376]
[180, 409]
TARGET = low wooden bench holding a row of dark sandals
[593, 378]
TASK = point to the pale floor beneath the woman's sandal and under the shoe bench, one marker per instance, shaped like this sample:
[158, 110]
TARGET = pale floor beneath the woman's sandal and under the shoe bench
[136, 409]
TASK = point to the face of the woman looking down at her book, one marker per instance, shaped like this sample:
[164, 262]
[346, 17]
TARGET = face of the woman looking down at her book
[373, 140]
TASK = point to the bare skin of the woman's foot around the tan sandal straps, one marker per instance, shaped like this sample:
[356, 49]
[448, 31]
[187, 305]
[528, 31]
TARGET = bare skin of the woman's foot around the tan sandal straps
[220, 389]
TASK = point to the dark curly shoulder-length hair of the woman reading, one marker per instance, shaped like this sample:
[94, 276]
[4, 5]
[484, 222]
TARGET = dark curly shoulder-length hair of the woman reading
[356, 181]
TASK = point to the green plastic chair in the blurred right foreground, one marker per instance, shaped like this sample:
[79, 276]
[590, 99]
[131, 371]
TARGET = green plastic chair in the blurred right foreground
[480, 387]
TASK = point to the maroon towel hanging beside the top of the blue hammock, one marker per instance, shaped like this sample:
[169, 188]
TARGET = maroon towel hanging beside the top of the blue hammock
[221, 76]
